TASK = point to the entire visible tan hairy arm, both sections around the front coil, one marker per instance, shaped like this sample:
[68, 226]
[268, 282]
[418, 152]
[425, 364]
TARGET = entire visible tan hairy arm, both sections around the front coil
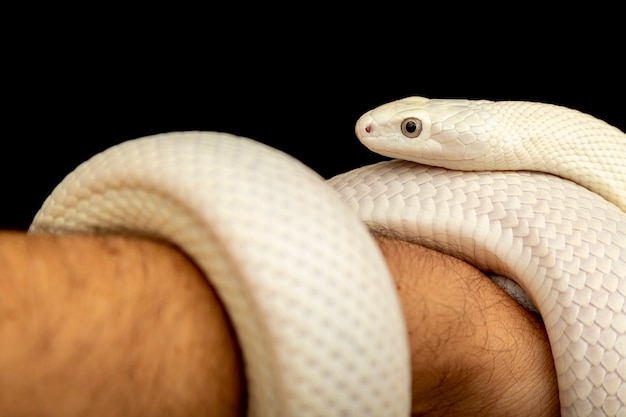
[118, 326]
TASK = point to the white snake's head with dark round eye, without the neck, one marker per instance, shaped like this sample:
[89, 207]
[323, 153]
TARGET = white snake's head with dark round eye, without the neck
[438, 132]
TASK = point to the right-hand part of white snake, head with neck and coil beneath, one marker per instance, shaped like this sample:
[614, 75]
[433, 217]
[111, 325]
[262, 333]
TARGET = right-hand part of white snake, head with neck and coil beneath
[558, 239]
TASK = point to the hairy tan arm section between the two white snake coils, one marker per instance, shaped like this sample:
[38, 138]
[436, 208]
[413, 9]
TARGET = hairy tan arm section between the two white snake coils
[474, 351]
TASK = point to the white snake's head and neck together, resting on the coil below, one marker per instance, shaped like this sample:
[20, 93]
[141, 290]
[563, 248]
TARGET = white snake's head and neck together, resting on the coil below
[503, 135]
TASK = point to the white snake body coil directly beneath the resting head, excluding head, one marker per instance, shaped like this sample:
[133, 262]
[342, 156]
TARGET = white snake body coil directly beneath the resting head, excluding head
[563, 244]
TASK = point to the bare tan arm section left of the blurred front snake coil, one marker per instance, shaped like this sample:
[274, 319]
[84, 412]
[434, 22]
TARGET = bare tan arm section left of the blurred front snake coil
[105, 325]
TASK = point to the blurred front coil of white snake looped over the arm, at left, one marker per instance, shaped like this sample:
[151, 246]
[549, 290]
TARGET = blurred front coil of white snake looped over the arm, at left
[314, 308]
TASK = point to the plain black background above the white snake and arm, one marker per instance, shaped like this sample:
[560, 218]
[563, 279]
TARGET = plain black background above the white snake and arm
[296, 83]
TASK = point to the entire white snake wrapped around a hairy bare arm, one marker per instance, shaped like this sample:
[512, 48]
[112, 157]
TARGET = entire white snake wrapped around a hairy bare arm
[313, 305]
